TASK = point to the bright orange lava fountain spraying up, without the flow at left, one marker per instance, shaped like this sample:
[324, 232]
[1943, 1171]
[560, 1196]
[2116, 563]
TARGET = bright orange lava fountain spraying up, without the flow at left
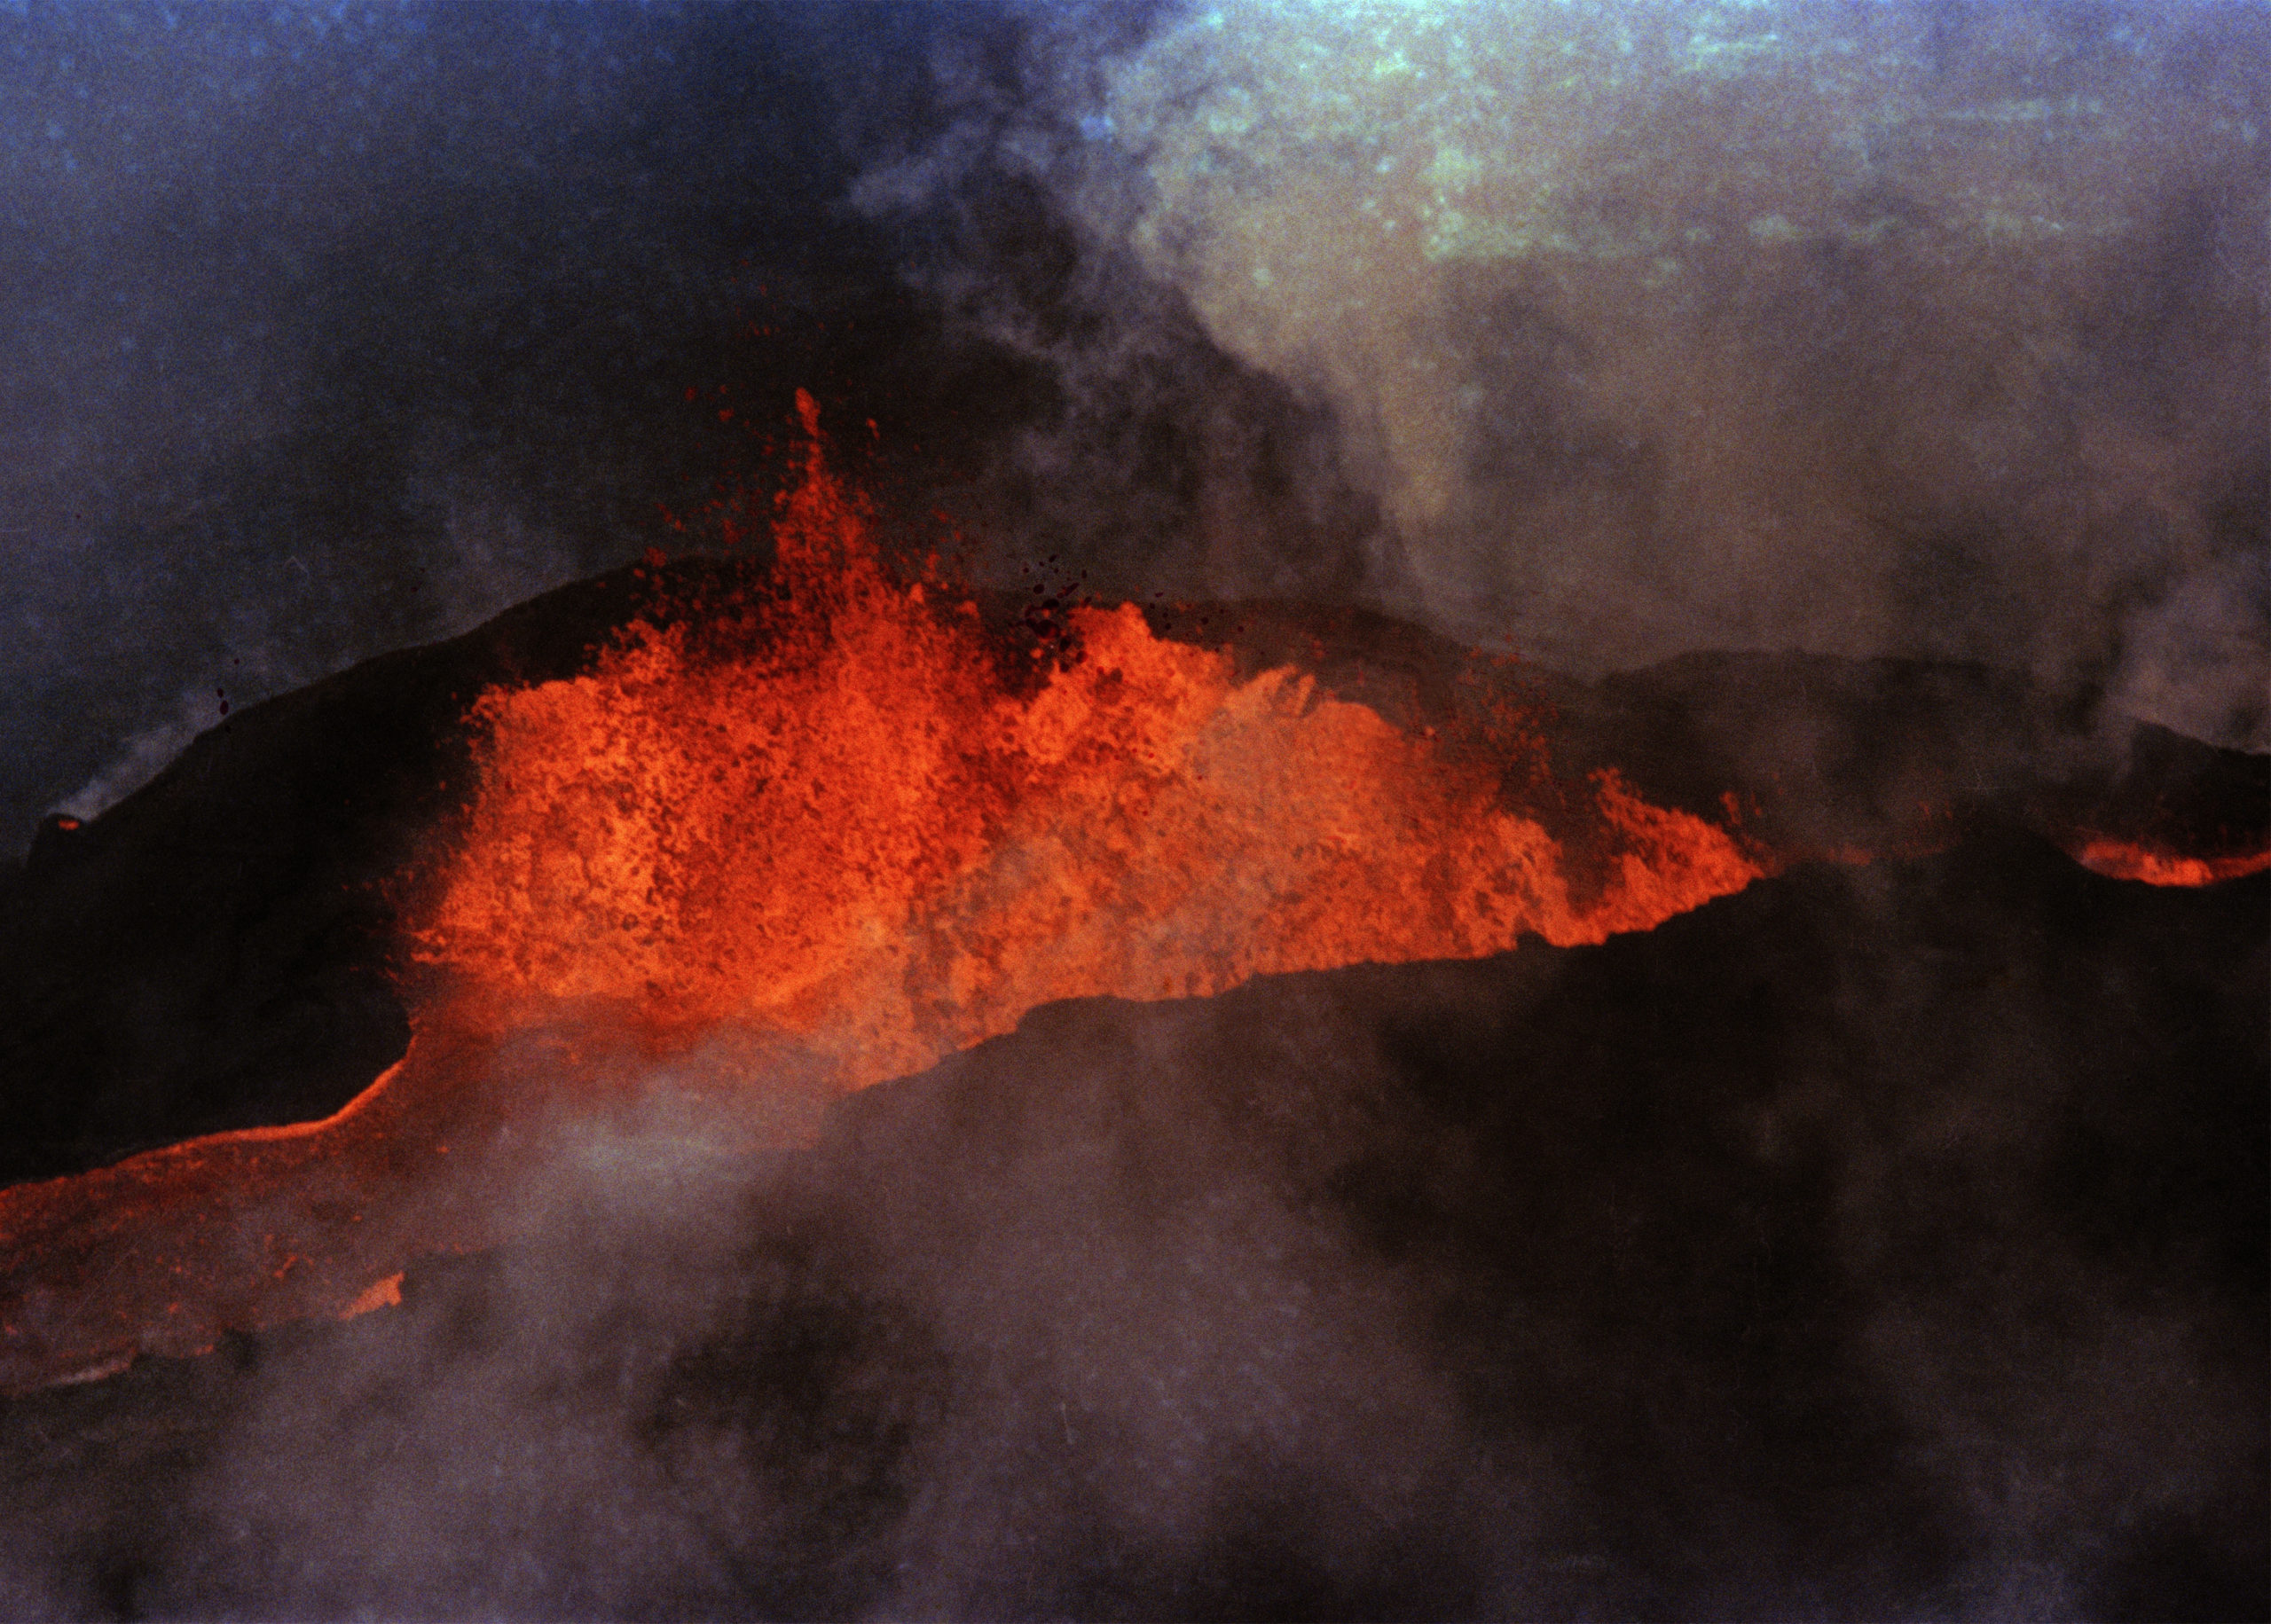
[844, 823]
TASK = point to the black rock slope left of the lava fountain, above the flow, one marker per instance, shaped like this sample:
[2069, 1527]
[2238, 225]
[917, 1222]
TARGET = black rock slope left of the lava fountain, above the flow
[215, 951]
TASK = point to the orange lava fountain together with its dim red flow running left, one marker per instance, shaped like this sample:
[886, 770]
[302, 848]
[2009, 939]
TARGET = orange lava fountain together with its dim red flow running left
[812, 839]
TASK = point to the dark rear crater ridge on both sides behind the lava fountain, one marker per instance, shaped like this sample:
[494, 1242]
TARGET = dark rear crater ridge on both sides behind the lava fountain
[219, 951]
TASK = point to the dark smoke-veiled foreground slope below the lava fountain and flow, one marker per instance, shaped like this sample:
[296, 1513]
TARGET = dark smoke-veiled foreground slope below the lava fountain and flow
[1882, 1241]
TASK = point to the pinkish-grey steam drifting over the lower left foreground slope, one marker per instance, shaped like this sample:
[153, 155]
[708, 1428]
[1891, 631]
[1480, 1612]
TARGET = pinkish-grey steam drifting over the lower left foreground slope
[701, 1384]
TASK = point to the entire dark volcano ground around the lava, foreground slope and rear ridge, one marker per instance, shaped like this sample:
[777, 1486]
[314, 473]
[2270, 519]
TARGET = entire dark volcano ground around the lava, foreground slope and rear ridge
[1886, 1239]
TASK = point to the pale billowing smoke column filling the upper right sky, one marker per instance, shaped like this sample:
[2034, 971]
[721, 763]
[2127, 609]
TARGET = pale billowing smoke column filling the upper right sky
[1922, 330]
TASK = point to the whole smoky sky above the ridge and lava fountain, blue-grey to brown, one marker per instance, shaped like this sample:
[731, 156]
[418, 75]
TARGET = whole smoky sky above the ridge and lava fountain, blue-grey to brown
[1595, 333]
